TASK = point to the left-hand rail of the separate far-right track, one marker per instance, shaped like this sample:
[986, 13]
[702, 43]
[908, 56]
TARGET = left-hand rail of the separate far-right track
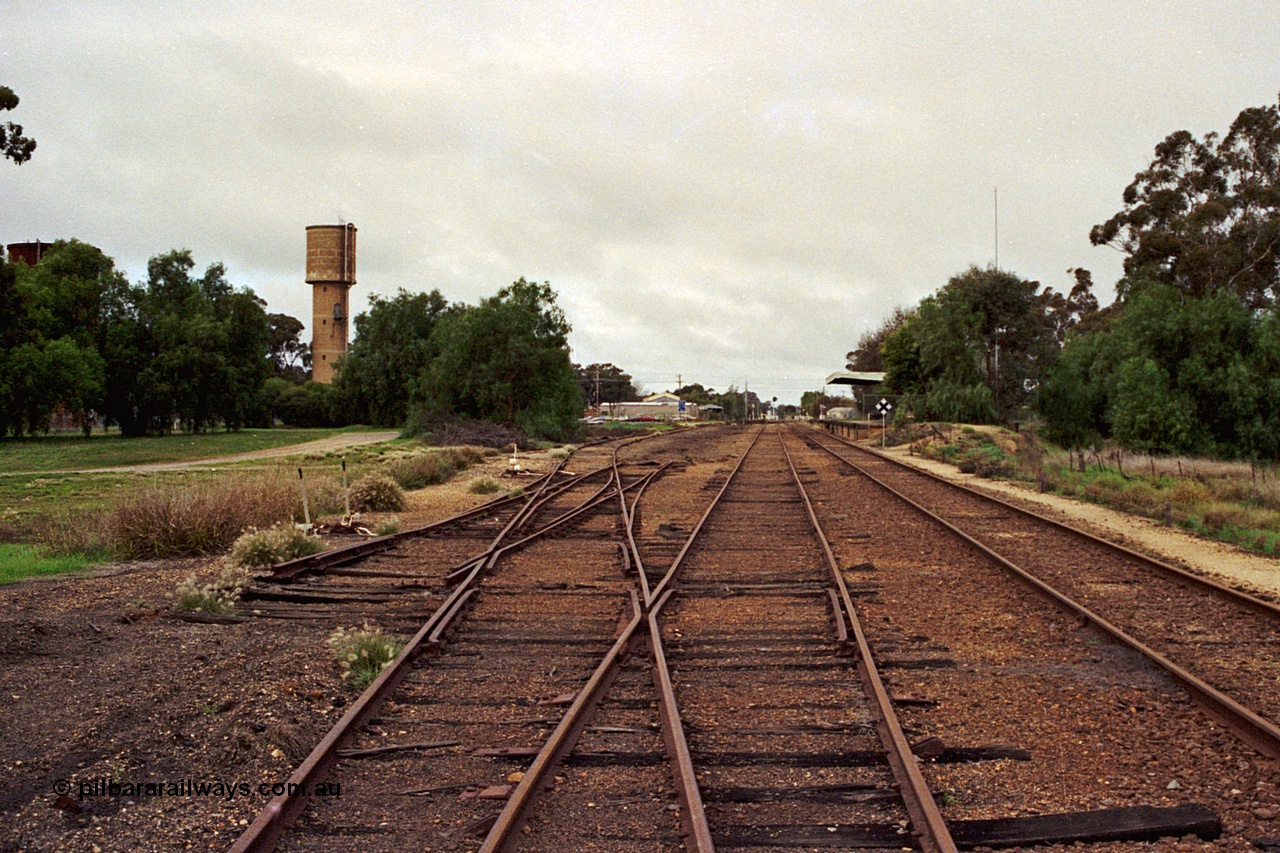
[1246, 724]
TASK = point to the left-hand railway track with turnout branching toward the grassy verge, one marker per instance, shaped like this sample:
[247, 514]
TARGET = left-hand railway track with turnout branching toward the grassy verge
[516, 600]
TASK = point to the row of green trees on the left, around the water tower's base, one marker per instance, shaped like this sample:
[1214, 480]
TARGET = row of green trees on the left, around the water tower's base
[191, 352]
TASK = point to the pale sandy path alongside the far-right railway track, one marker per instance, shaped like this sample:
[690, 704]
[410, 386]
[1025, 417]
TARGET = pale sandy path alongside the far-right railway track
[1203, 555]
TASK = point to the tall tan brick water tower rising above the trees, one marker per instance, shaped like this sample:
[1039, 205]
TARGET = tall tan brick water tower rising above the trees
[331, 273]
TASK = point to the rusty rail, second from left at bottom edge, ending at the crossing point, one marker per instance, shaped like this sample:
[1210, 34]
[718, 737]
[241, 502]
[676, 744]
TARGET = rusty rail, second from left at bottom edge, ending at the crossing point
[506, 829]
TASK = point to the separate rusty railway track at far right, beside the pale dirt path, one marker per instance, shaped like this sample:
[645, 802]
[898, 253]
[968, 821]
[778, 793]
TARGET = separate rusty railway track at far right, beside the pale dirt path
[1220, 644]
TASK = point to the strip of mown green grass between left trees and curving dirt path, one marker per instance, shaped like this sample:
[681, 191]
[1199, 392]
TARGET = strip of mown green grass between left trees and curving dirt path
[76, 453]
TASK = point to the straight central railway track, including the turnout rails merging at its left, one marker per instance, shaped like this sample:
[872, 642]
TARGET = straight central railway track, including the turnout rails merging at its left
[760, 758]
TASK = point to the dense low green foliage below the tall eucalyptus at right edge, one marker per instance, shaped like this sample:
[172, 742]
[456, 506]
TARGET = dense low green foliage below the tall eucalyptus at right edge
[1172, 375]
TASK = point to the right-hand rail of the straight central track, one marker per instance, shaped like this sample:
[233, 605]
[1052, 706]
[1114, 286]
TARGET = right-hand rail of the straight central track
[927, 823]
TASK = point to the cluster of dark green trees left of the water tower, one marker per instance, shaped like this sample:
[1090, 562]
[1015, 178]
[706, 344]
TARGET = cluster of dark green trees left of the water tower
[75, 332]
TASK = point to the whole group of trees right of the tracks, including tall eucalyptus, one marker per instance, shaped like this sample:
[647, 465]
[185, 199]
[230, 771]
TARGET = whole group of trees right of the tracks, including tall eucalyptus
[1187, 359]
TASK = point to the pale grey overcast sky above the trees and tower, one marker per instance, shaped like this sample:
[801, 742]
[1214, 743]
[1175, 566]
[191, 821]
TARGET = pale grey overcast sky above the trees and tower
[725, 193]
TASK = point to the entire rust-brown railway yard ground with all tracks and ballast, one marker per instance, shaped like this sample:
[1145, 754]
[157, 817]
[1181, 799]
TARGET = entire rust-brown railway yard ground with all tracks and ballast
[733, 638]
